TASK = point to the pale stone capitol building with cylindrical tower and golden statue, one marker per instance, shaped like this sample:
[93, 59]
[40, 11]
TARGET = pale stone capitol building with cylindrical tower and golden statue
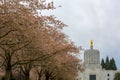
[93, 69]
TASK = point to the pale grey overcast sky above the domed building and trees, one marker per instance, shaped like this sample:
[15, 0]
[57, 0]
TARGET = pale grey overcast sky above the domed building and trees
[98, 20]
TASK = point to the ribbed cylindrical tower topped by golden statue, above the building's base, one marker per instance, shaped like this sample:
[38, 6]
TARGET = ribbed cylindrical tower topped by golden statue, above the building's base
[92, 57]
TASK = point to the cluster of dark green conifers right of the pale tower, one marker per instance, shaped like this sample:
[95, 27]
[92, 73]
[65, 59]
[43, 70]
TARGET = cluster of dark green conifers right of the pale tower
[109, 64]
